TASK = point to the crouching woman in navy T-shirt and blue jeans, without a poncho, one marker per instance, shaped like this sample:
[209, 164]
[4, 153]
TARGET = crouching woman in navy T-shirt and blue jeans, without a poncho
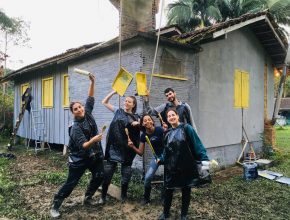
[155, 135]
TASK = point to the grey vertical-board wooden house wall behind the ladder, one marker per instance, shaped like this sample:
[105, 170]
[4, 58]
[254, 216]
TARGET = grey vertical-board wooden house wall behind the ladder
[55, 119]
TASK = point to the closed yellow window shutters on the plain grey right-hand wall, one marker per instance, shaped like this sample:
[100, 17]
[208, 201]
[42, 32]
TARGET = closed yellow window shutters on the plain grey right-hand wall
[242, 89]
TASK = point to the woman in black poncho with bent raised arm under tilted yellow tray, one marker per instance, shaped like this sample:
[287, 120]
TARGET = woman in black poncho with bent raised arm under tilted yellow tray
[117, 149]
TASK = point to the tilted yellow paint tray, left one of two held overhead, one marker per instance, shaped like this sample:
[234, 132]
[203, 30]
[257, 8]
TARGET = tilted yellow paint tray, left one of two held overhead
[122, 81]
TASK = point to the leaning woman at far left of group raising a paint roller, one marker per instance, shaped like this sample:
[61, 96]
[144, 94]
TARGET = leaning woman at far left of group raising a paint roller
[85, 152]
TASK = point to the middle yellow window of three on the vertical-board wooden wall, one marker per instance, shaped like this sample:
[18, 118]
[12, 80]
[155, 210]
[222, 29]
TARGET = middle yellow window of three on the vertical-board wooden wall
[47, 92]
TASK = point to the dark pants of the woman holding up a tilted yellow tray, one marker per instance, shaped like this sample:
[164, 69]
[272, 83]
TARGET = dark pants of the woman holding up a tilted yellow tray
[110, 168]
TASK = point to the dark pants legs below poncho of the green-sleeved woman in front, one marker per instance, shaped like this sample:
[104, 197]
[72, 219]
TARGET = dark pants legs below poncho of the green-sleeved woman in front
[168, 194]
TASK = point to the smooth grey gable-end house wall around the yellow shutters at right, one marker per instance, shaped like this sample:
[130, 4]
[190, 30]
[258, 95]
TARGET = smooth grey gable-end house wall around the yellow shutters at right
[220, 124]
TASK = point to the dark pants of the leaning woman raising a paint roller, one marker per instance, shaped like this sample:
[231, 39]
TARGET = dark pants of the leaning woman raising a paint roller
[95, 166]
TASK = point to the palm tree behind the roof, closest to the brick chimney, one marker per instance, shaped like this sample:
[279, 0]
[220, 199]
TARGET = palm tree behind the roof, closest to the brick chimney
[189, 14]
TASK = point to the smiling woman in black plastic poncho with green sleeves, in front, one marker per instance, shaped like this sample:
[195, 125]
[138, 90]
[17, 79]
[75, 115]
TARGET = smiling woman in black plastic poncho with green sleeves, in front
[182, 150]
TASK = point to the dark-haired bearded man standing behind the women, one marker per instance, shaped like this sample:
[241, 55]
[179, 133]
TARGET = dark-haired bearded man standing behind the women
[182, 108]
